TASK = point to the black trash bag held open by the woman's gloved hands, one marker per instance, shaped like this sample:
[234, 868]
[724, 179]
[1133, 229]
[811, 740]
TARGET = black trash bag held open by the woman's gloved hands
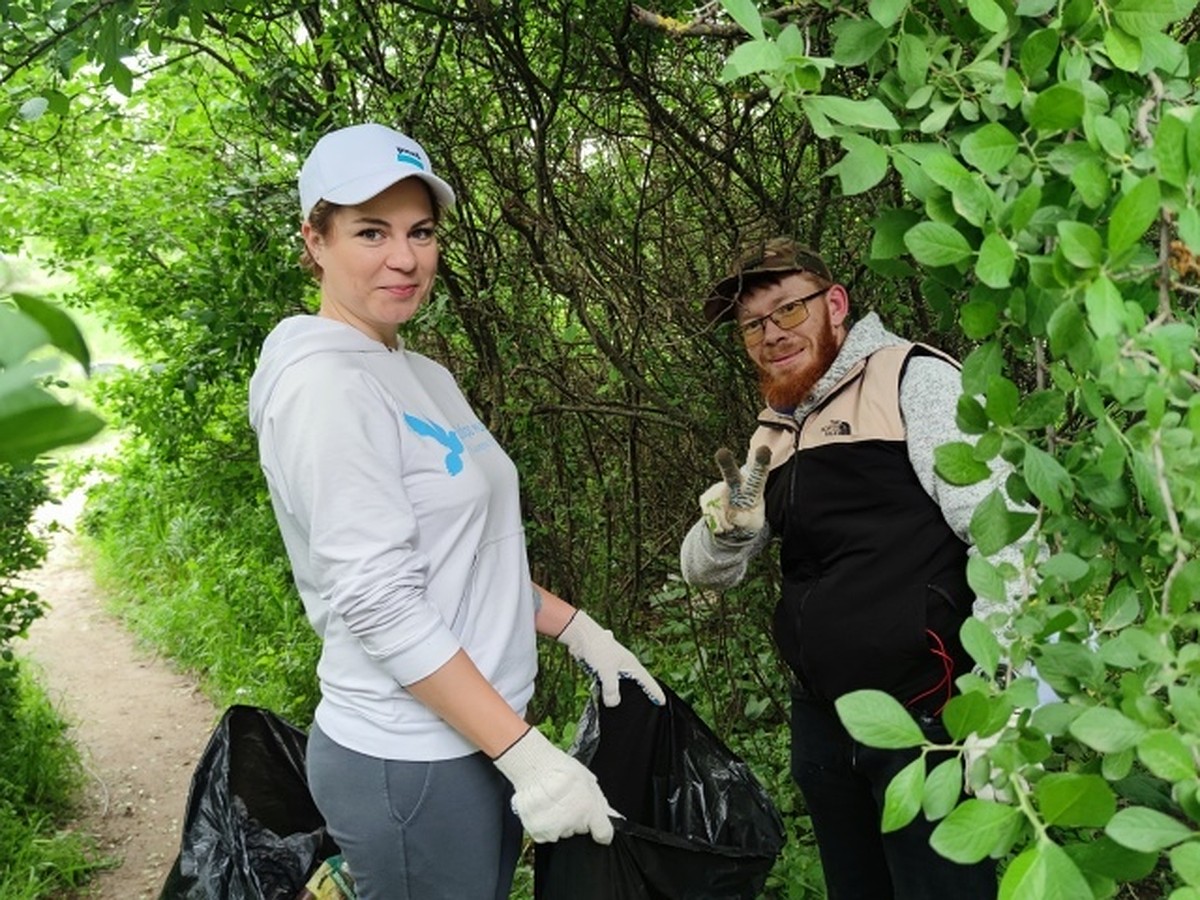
[699, 825]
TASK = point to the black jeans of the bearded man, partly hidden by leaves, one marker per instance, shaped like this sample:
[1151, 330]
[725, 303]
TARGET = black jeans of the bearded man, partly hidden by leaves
[843, 784]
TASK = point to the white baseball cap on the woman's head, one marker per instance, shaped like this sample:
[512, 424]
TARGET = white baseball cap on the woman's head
[351, 166]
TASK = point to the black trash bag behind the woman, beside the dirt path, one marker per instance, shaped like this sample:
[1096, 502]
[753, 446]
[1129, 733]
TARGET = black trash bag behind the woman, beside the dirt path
[253, 831]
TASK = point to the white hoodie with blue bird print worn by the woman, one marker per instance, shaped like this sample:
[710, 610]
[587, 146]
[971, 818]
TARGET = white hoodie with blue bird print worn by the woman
[401, 518]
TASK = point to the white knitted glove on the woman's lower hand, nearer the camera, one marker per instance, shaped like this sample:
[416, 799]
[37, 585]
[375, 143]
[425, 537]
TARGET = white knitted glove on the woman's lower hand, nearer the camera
[555, 796]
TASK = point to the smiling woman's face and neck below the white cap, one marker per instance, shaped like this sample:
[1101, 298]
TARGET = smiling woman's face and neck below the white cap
[379, 260]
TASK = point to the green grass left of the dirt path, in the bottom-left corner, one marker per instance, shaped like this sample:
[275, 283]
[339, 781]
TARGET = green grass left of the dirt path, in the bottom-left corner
[40, 782]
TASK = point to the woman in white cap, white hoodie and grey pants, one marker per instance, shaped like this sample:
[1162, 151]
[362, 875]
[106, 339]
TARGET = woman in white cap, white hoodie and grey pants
[401, 518]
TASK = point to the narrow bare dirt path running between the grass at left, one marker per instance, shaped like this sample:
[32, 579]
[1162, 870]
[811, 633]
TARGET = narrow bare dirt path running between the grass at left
[140, 725]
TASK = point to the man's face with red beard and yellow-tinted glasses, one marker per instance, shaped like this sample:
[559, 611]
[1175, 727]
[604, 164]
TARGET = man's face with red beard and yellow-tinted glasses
[793, 361]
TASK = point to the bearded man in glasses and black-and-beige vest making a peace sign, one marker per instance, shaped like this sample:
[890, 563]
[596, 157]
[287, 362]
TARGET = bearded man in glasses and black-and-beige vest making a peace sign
[873, 551]
